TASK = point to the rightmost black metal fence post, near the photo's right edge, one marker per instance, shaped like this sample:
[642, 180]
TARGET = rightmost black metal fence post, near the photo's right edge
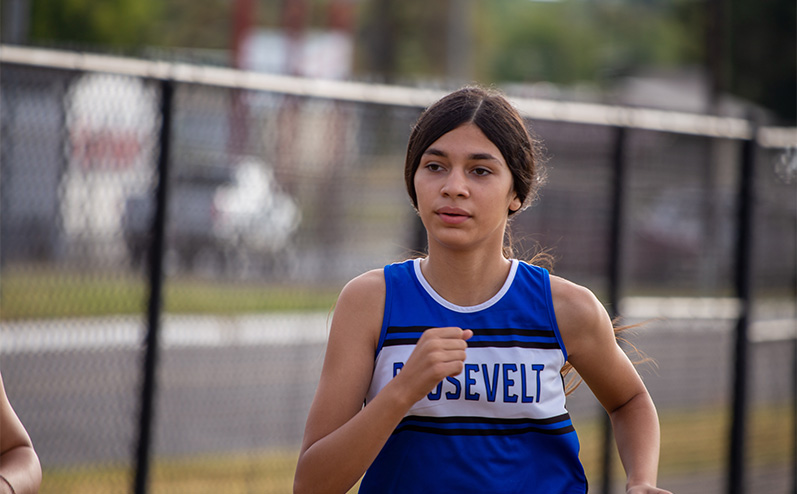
[743, 282]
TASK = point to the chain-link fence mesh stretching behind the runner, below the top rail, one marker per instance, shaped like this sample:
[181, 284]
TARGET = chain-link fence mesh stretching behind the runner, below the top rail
[275, 198]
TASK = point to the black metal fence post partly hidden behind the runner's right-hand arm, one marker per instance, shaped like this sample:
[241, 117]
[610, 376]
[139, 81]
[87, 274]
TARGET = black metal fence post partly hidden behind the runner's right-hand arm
[616, 233]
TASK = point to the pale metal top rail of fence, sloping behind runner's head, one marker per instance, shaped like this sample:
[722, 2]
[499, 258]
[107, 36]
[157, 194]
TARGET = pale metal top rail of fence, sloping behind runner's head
[540, 109]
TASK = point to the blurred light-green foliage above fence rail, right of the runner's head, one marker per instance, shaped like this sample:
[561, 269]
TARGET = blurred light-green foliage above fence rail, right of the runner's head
[572, 41]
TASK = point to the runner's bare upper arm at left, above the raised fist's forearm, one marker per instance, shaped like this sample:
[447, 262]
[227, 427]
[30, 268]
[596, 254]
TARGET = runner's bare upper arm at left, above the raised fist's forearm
[349, 361]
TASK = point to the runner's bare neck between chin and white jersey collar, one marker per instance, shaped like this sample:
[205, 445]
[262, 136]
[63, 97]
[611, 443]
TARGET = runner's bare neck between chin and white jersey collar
[465, 278]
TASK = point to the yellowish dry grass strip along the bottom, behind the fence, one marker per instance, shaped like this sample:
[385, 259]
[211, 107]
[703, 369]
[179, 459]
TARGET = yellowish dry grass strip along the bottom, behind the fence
[693, 442]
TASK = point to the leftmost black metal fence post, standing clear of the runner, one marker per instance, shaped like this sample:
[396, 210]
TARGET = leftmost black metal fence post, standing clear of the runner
[155, 298]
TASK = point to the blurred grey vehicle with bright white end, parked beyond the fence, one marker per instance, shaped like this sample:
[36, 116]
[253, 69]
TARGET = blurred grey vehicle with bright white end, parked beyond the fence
[221, 219]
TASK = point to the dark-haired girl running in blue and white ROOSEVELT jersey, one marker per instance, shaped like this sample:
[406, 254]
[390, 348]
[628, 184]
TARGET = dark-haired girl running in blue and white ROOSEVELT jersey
[458, 355]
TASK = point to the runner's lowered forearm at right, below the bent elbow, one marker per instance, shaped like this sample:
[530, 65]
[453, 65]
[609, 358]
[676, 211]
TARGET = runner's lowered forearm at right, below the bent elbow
[636, 430]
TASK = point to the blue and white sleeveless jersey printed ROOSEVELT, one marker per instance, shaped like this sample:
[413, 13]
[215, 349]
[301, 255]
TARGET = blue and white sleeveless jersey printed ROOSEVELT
[501, 425]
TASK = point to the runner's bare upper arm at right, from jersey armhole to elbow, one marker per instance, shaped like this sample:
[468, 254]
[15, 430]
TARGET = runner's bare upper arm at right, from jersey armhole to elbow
[588, 334]
